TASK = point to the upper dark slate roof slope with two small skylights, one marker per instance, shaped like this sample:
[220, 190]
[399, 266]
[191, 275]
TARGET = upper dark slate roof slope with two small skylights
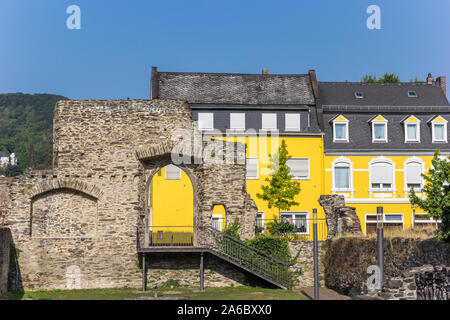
[381, 94]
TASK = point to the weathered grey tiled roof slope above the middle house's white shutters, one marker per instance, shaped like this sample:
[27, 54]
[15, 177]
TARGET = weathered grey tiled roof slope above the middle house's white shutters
[250, 89]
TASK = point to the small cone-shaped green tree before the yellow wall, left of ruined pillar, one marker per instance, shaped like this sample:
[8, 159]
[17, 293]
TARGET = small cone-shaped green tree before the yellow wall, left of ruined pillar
[281, 190]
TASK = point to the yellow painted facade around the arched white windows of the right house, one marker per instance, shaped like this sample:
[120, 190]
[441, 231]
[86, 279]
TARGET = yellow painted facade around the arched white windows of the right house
[361, 188]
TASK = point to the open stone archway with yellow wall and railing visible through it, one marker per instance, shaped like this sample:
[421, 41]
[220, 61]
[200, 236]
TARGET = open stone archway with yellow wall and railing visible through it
[171, 205]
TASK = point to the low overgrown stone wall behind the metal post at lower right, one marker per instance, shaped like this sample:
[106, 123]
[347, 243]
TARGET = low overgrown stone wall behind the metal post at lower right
[347, 259]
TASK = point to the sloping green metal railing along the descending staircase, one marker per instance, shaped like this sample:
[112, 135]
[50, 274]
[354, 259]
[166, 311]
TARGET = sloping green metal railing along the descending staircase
[253, 259]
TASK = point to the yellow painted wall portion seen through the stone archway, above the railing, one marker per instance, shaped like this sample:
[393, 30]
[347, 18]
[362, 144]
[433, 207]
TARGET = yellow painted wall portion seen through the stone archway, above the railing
[171, 201]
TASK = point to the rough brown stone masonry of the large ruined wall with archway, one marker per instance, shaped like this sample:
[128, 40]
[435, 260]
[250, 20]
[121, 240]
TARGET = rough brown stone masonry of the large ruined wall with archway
[79, 225]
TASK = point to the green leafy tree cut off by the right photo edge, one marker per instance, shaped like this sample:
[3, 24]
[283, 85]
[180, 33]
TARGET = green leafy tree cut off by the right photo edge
[436, 189]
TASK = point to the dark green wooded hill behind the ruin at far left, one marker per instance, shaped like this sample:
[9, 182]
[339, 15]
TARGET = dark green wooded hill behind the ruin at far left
[26, 127]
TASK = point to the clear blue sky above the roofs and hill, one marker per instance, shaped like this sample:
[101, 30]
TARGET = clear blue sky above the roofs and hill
[111, 56]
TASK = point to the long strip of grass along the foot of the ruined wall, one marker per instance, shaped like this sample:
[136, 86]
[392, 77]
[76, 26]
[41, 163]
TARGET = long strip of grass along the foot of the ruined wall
[224, 293]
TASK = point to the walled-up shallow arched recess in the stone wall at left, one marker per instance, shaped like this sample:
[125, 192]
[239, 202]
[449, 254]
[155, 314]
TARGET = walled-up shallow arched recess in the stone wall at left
[63, 213]
